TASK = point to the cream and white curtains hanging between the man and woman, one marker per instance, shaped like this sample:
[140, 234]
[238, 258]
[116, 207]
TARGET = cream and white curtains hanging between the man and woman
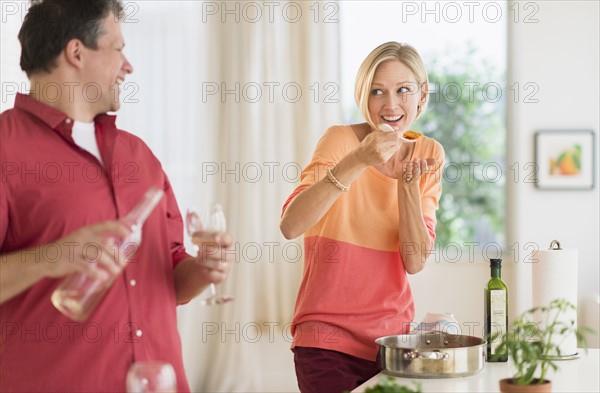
[232, 97]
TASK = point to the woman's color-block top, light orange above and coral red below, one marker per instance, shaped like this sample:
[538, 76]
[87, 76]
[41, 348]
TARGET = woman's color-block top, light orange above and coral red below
[354, 287]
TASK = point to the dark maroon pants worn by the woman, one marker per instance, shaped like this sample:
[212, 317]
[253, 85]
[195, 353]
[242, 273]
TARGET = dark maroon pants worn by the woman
[324, 371]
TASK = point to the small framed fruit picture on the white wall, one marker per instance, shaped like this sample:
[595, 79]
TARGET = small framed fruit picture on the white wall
[565, 159]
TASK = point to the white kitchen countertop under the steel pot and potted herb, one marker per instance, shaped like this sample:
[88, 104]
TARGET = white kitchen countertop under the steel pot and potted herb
[578, 375]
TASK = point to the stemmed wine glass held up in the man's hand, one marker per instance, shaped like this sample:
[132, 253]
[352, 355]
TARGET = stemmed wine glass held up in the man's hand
[202, 225]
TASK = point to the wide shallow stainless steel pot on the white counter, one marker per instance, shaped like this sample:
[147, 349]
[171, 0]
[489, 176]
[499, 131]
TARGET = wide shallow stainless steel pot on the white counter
[431, 355]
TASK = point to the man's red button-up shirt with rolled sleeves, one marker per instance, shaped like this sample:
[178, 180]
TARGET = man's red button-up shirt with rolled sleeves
[49, 188]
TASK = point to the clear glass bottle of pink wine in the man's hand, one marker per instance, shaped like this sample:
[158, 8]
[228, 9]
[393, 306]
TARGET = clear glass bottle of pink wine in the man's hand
[79, 294]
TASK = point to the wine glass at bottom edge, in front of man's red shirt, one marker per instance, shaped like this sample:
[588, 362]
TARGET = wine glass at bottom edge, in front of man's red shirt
[152, 376]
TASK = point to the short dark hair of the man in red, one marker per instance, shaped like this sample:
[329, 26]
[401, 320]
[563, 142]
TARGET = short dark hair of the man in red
[51, 24]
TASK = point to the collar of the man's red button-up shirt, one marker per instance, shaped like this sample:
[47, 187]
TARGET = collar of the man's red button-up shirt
[54, 118]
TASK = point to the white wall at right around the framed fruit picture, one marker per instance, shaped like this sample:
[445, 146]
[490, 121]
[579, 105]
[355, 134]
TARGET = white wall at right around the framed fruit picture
[559, 53]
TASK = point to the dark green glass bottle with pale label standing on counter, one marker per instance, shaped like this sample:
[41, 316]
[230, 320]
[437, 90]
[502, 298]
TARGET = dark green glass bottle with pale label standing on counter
[496, 313]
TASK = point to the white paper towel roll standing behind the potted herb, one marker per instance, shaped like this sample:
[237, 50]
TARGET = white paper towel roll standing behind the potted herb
[554, 276]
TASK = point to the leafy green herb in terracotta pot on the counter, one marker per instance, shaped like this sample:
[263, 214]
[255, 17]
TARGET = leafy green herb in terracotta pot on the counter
[534, 347]
